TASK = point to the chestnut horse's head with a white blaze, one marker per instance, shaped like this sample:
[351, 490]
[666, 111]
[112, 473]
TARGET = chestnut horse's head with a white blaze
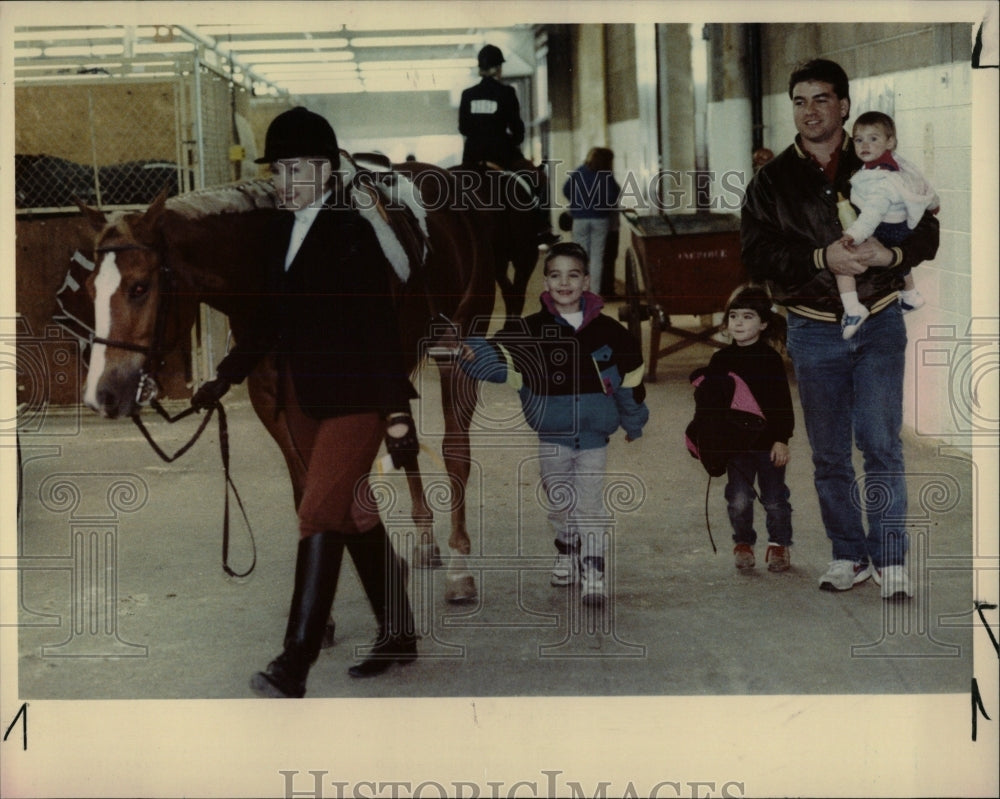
[126, 286]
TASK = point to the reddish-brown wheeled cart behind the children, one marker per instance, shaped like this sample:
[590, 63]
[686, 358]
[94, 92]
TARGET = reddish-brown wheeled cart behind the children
[685, 264]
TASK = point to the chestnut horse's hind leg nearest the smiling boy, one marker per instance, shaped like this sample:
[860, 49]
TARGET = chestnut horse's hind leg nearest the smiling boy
[459, 394]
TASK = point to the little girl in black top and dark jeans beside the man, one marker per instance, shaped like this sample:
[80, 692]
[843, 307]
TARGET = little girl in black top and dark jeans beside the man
[756, 330]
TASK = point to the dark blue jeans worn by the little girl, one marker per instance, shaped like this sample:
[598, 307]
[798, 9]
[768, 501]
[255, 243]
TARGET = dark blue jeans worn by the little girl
[742, 469]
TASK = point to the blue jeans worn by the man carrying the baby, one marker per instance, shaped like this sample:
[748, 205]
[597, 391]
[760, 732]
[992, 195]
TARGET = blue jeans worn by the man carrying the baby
[852, 393]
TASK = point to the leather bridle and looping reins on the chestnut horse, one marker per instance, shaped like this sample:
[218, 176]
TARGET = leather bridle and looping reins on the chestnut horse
[147, 390]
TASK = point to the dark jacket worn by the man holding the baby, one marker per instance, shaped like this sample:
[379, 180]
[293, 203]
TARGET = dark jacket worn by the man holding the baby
[789, 218]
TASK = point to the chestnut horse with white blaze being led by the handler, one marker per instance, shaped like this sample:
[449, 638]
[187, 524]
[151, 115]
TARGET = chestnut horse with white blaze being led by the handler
[153, 267]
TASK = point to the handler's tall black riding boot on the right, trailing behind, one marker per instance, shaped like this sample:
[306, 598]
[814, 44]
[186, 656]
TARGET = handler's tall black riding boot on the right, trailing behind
[383, 575]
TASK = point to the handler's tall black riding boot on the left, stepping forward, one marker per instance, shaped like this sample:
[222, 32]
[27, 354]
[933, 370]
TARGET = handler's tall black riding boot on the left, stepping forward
[317, 568]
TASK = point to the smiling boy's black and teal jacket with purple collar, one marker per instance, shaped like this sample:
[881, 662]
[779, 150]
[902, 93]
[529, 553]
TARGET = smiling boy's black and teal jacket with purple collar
[577, 387]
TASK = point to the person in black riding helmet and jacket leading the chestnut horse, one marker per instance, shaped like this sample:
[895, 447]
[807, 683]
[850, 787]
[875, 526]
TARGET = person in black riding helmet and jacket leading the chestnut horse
[328, 318]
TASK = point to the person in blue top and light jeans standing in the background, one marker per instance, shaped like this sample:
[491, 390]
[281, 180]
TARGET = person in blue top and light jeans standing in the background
[593, 195]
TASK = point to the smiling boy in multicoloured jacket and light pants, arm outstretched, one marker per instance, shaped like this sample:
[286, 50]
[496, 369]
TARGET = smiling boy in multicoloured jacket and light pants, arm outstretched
[578, 373]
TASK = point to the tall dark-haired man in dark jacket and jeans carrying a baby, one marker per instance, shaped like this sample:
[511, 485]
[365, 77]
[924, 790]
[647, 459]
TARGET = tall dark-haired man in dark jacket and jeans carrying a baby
[851, 391]
